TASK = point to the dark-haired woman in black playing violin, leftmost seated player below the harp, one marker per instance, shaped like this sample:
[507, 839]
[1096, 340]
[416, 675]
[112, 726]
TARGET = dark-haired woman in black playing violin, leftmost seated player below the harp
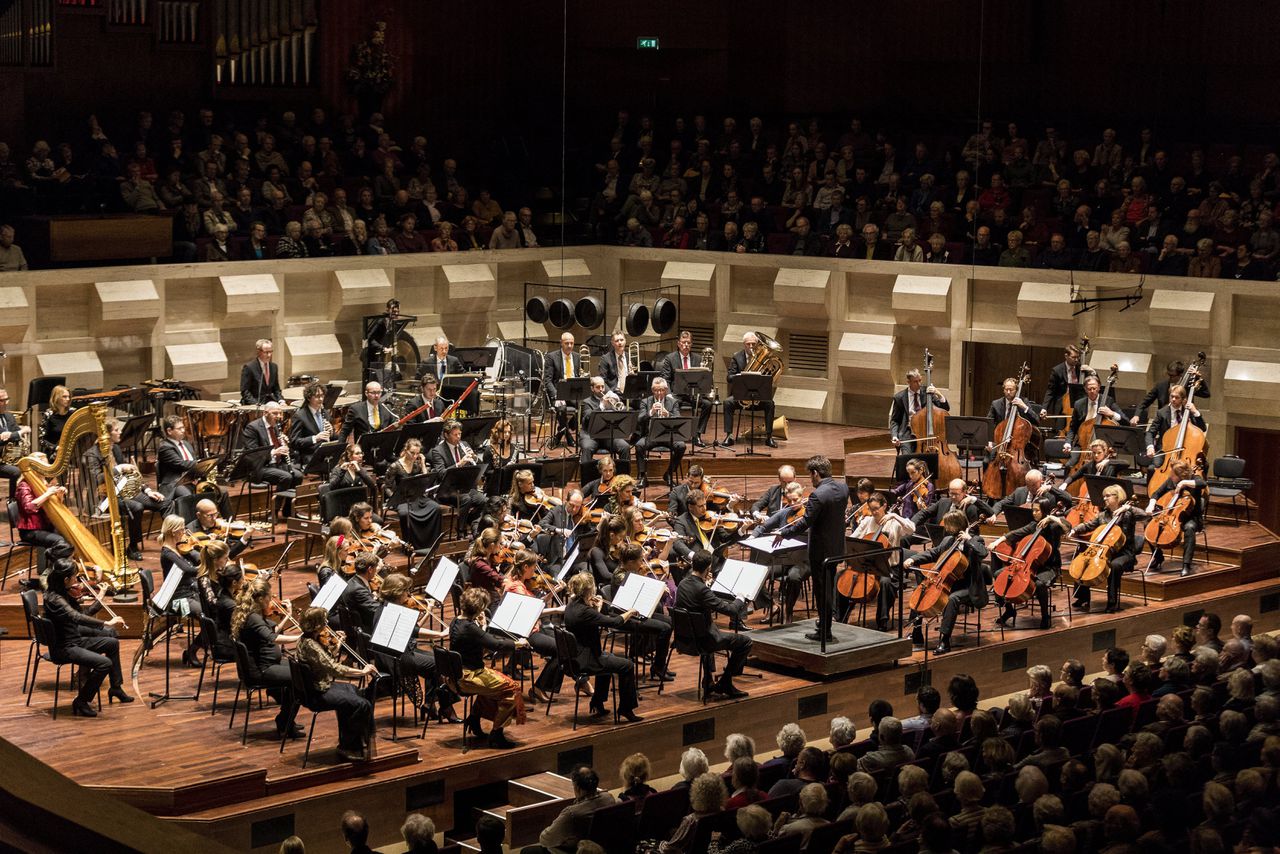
[84, 641]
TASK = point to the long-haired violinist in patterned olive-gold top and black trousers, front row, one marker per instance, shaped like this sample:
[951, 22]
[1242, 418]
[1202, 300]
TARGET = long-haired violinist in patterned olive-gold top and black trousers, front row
[355, 711]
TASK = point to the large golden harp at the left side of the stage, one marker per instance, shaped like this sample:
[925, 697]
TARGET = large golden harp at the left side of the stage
[90, 421]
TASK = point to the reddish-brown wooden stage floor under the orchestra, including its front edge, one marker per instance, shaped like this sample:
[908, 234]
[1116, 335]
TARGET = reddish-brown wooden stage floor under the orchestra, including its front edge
[184, 762]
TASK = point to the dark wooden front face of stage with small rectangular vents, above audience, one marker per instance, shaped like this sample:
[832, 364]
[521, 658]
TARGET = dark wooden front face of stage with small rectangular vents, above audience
[385, 801]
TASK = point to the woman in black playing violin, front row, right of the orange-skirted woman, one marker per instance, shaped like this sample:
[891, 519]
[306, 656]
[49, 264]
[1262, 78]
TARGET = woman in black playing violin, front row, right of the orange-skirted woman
[586, 620]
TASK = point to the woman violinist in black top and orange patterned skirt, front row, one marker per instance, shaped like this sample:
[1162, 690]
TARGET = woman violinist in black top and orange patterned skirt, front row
[497, 697]
